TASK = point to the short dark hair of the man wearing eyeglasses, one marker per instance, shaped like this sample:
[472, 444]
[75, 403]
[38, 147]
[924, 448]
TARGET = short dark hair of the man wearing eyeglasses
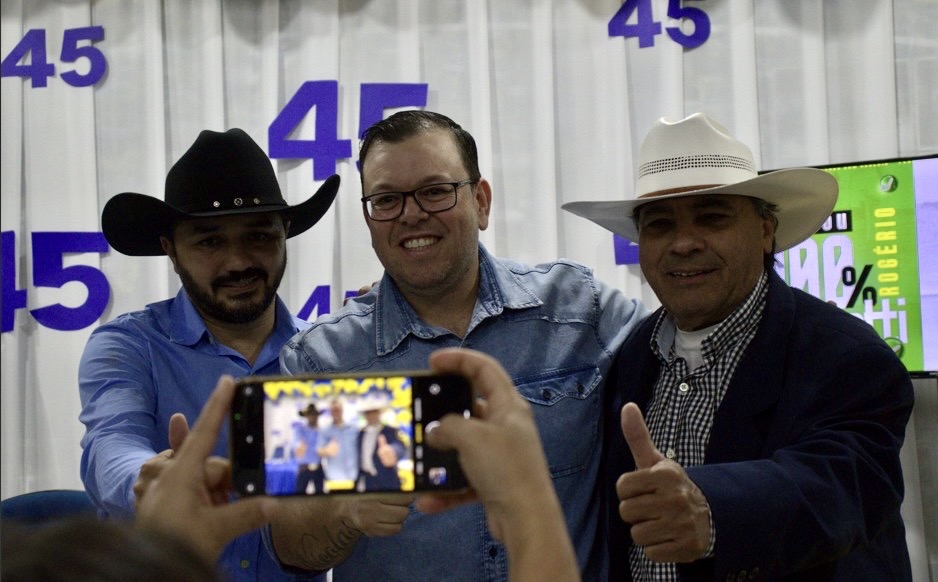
[405, 124]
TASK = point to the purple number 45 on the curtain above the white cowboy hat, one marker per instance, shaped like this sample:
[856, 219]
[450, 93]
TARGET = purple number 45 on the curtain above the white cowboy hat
[646, 28]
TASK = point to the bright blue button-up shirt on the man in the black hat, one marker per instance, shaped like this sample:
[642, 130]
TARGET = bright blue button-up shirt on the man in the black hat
[135, 372]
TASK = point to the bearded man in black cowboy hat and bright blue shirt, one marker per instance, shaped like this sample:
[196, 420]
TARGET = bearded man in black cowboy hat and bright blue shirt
[224, 225]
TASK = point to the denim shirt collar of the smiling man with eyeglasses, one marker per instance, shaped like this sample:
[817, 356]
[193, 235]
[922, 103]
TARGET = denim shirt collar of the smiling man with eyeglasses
[499, 289]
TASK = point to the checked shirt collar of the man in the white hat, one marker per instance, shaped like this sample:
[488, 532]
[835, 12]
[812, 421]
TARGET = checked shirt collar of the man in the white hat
[726, 333]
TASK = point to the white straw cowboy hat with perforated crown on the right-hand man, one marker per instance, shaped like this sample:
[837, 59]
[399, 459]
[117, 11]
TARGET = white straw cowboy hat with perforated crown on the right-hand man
[700, 154]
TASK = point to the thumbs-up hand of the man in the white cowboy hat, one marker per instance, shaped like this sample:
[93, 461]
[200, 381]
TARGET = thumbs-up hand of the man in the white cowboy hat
[668, 512]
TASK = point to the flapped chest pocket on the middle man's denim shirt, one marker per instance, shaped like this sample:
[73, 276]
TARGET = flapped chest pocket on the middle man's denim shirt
[566, 405]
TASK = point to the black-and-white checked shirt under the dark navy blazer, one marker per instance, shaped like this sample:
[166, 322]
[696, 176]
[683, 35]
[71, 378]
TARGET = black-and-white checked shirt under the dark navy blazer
[685, 401]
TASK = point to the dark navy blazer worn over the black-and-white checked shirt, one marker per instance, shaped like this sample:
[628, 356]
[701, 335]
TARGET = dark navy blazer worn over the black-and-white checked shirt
[802, 469]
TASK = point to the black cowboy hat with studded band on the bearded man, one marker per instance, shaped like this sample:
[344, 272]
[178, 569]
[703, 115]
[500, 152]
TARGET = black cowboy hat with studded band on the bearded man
[221, 174]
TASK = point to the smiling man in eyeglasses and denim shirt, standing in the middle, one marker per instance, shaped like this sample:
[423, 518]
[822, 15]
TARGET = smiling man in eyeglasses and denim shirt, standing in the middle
[554, 327]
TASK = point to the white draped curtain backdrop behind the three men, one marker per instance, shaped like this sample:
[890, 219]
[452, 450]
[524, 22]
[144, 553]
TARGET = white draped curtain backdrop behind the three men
[557, 105]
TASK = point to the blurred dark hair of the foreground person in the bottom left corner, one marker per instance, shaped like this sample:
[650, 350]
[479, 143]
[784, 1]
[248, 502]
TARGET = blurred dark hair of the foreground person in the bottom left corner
[86, 548]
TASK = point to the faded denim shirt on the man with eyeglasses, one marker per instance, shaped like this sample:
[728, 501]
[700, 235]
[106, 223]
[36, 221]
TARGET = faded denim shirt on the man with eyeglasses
[555, 330]
